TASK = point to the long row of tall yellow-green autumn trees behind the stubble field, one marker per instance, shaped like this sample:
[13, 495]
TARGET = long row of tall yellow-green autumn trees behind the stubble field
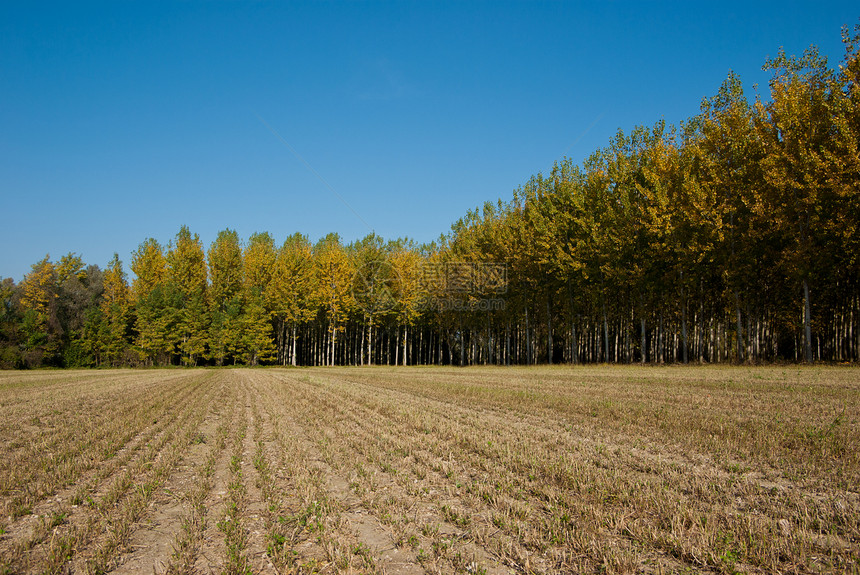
[733, 237]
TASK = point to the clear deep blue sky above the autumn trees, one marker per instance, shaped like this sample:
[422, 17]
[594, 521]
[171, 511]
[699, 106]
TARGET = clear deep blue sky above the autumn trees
[121, 121]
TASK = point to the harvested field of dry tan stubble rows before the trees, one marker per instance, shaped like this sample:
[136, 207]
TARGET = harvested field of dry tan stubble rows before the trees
[431, 470]
